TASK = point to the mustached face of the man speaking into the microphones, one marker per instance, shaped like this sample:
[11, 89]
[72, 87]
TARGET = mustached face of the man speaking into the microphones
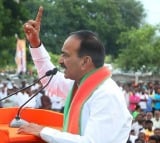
[69, 59]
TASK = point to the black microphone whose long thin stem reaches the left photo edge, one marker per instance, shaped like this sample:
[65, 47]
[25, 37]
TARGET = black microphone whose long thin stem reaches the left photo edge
[48, 73]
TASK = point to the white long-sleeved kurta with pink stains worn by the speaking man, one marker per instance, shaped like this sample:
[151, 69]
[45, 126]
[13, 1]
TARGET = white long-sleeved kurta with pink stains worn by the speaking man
[105, 117]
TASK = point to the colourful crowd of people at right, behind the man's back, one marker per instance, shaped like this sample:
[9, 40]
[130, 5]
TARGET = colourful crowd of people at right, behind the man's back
[143, 101]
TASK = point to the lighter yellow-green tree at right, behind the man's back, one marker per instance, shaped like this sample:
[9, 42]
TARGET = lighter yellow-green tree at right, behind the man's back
[142, 49]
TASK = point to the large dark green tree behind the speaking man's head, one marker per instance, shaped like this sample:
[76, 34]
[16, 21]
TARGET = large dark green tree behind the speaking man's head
[108, 18]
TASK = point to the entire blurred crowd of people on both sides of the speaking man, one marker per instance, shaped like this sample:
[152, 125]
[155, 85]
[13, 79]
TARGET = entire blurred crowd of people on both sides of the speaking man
[142, 100]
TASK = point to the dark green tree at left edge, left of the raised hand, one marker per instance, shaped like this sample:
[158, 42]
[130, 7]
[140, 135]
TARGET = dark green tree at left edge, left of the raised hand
[12, 16]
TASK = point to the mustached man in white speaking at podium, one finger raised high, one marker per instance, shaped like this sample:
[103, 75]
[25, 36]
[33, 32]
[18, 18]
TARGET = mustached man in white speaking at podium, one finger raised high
[95, 109]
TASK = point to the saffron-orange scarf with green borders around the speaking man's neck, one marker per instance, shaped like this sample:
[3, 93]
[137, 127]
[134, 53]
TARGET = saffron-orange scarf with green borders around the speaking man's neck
[72, 111]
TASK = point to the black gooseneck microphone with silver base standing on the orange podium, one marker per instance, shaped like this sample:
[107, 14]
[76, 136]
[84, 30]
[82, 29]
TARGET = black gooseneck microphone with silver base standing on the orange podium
[17, 121]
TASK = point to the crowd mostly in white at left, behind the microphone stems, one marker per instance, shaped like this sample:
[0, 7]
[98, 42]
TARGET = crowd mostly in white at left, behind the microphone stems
[42, 99]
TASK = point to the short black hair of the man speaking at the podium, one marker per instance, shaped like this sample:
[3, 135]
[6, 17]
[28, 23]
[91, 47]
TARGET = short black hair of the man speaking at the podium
[91, 46]
